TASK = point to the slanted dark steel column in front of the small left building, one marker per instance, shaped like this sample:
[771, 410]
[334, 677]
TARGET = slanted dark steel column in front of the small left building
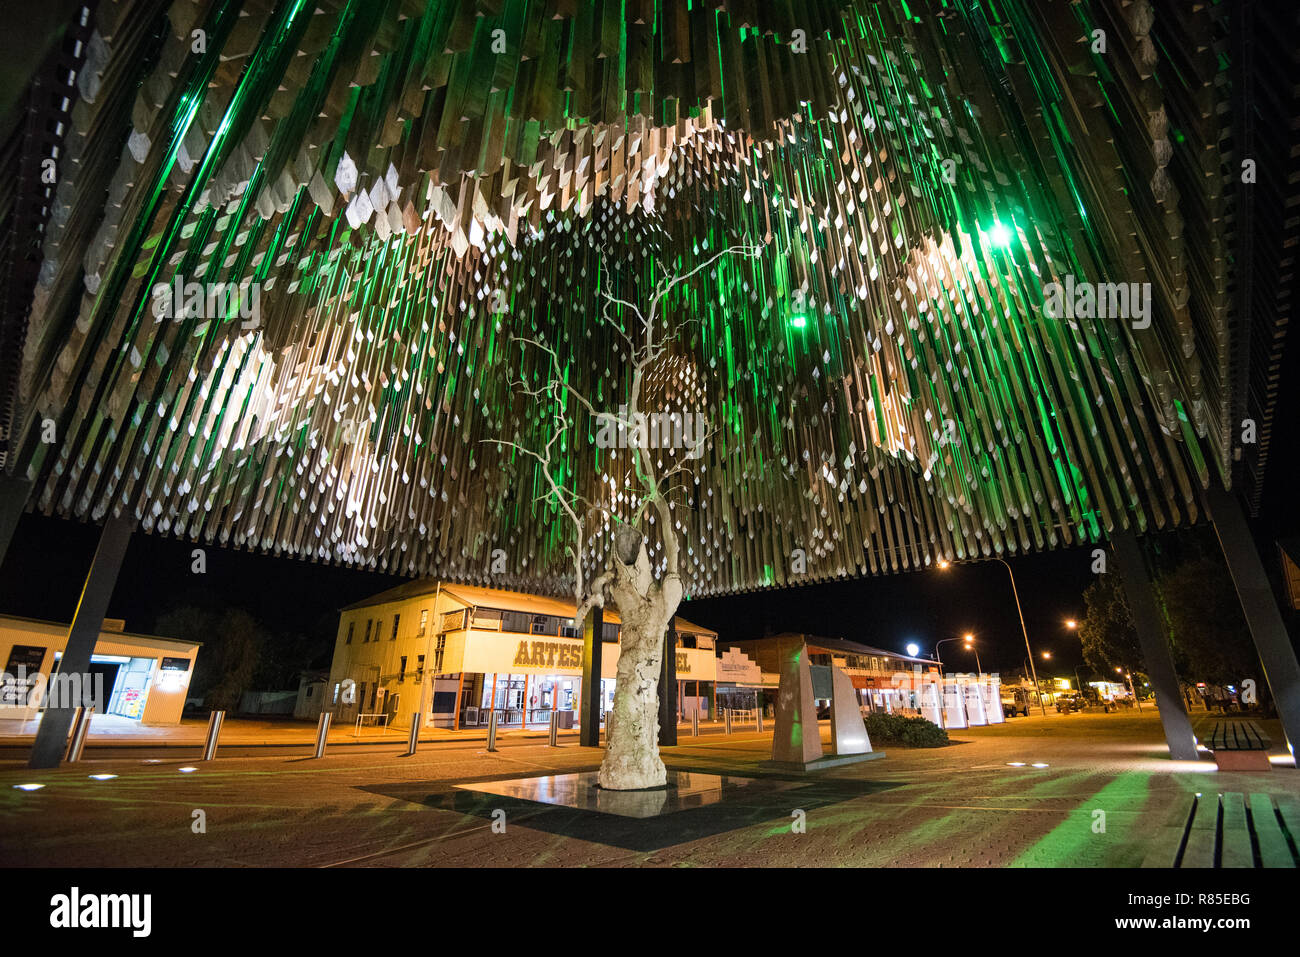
[51, 743]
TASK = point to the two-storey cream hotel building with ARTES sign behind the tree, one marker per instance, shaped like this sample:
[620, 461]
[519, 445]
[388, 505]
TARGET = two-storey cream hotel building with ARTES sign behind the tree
[470, 652]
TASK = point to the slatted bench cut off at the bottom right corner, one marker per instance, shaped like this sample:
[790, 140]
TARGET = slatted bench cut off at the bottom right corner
[1228, 832]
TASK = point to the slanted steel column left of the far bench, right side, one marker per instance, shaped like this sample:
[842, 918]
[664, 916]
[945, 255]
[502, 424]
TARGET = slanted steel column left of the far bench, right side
[1155, 647]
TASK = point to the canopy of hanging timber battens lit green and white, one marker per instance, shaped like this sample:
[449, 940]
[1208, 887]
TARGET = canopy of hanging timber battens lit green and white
[408, 185]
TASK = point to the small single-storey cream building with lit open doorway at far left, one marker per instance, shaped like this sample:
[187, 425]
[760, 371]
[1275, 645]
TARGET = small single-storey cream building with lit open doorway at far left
[144, 678]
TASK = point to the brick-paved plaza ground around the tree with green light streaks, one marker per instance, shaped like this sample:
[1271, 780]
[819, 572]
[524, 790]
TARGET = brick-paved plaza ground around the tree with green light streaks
[963, 806]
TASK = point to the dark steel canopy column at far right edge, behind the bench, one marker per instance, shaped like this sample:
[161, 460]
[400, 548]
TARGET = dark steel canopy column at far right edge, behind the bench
[1260, 607]
